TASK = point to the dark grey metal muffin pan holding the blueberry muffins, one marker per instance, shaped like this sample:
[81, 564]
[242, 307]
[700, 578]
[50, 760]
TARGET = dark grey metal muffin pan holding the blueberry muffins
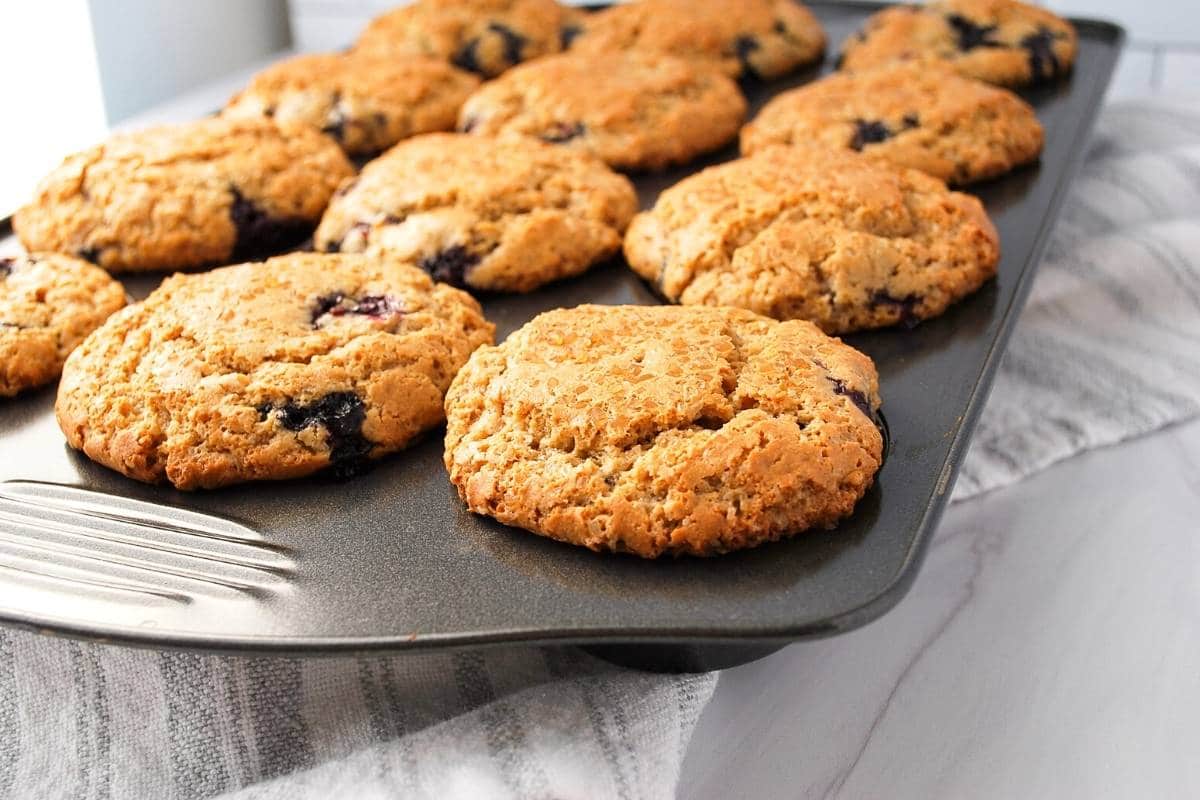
[392, 560]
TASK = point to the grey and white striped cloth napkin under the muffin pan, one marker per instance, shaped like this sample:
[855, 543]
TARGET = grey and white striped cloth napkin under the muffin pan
[1108, 348]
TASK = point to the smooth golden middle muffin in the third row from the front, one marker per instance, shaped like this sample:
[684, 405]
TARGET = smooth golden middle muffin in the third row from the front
[637, 111]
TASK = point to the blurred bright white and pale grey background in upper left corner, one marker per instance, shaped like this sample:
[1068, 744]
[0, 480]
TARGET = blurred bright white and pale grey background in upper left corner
[76, 68]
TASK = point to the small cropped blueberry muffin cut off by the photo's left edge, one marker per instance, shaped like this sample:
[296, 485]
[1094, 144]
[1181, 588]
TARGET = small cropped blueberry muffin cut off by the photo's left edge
[49, 304]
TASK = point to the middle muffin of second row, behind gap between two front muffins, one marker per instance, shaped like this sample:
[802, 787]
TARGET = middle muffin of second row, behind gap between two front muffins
[502, 215]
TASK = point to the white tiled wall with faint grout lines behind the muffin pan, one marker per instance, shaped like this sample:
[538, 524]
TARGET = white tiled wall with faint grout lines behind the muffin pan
[1163, 51]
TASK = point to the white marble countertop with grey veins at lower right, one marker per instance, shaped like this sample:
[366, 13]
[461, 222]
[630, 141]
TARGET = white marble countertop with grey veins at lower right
[1051, 648]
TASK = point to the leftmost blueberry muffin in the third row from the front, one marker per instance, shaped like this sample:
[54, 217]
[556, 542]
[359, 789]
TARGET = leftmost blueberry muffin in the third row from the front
[368, 104]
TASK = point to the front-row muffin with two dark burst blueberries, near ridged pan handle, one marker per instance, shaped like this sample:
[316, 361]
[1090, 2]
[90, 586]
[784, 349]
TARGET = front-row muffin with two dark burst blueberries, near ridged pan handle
[269, 371]
